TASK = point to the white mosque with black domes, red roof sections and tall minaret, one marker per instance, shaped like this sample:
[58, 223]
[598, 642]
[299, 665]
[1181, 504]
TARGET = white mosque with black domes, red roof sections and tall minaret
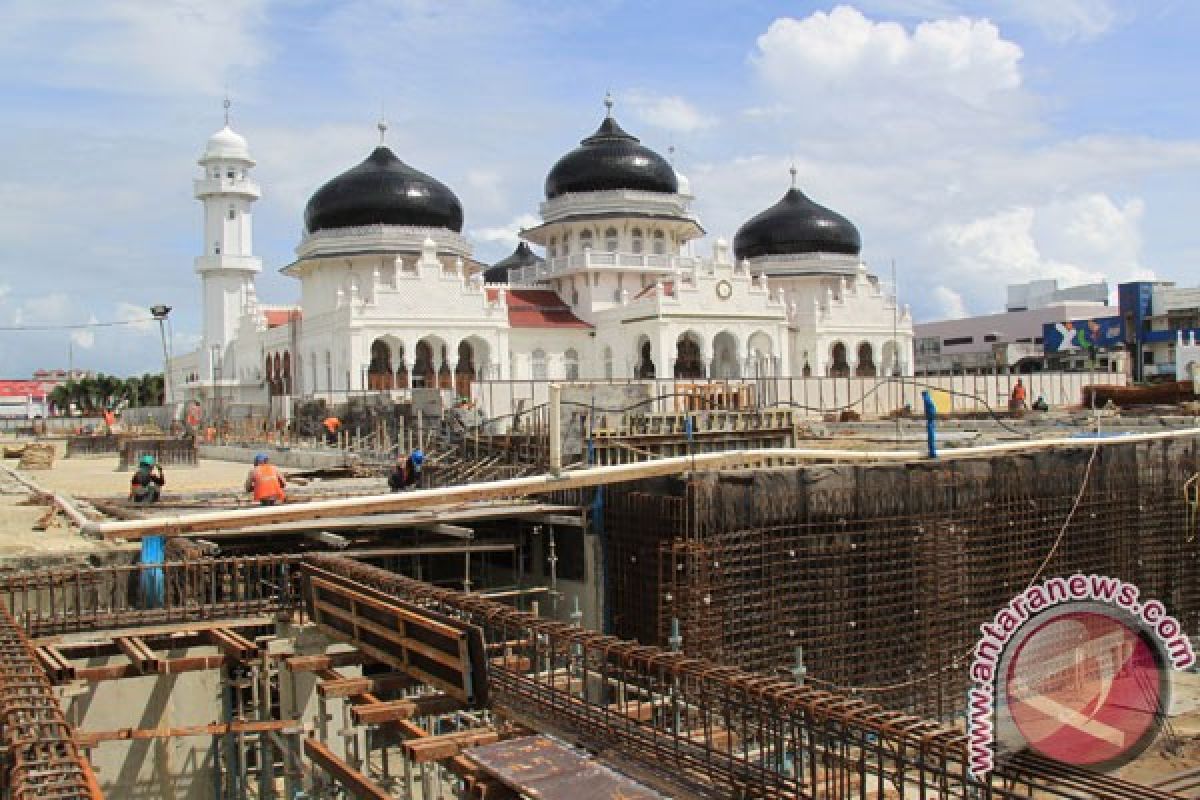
[392, 298]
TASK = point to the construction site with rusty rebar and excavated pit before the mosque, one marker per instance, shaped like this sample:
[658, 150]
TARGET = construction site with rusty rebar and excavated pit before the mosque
[617, 592]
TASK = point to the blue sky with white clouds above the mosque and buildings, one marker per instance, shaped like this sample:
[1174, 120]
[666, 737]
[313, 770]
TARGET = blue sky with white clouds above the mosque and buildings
[974, 143]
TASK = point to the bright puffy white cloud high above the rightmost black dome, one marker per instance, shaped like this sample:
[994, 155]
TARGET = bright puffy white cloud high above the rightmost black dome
[965, 59]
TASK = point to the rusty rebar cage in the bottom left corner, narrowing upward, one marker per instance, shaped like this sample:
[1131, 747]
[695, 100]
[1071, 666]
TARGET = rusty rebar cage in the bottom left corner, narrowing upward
[40, 756]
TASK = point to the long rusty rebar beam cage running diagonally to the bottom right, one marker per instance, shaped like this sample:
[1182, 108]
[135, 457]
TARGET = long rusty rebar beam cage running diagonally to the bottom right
[722, 732]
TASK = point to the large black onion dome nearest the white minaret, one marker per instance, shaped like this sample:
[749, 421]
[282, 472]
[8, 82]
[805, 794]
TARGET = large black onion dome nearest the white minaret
[383, 190]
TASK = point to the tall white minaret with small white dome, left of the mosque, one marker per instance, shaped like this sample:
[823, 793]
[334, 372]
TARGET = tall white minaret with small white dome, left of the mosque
[227, 264]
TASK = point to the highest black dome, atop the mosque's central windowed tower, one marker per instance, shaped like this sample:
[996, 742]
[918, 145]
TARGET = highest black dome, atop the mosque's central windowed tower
[611, 159]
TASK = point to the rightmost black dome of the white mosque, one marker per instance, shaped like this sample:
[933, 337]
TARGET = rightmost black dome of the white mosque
[796, 225]
